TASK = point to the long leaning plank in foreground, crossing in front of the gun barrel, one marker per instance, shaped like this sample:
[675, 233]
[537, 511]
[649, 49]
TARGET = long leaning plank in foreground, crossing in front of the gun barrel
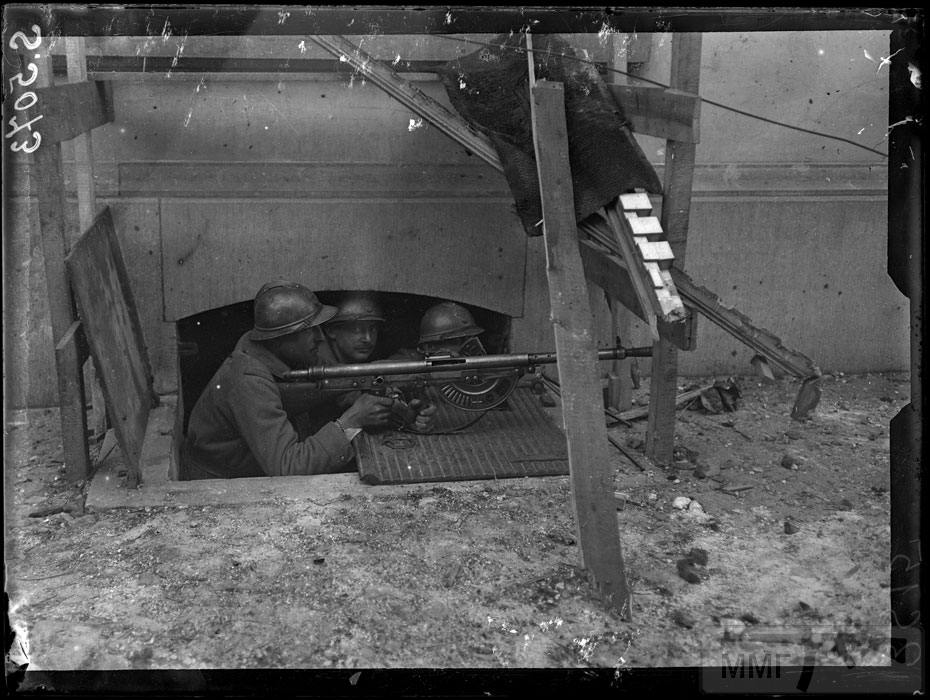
[582, 402]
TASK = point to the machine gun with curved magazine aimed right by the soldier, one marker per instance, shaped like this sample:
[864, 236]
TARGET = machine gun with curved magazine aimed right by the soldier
[469, 383]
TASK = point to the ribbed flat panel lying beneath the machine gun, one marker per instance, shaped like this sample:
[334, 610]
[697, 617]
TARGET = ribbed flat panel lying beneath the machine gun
[519, 442]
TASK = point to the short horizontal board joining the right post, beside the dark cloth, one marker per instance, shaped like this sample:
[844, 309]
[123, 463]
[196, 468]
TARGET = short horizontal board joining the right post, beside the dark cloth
[655, 111]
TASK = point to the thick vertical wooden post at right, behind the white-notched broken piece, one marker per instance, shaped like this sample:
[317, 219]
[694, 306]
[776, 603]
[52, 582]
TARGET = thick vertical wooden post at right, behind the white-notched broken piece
[676, 212]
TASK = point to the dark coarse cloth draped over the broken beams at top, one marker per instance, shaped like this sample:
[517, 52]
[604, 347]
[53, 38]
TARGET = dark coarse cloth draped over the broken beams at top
[490, 90]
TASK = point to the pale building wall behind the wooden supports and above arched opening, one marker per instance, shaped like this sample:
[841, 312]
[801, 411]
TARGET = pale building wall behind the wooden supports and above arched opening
[787, 227]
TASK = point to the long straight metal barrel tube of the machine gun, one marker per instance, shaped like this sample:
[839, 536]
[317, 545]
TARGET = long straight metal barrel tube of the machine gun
[447, 363]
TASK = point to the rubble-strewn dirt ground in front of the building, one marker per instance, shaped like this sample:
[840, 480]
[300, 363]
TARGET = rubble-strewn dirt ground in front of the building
[482, 574]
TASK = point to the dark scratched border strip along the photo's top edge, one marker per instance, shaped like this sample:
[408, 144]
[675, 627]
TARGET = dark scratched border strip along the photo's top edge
[155, 20]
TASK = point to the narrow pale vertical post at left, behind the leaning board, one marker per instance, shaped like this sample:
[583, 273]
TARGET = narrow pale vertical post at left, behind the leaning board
[87, 210]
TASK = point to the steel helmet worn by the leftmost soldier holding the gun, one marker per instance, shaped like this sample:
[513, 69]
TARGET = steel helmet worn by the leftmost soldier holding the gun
[282, 308]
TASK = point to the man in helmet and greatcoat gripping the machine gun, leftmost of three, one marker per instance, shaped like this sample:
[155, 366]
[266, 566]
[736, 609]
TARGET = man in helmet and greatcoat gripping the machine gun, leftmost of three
[239, 426]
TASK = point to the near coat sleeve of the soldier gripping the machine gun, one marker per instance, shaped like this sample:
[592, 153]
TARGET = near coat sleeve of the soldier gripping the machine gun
[260, 417]
